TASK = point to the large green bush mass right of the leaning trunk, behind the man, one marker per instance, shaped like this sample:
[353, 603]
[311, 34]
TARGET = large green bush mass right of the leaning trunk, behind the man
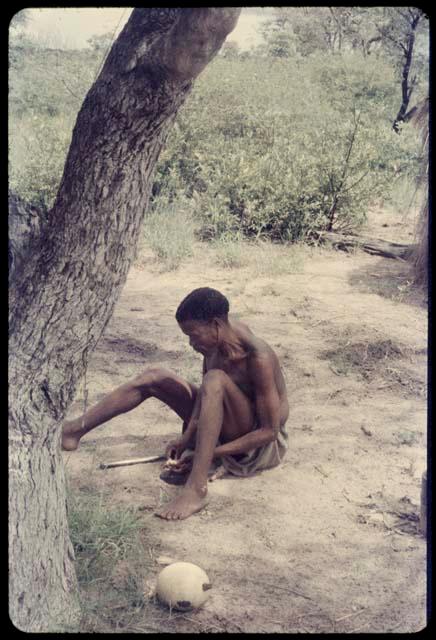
[277, 148]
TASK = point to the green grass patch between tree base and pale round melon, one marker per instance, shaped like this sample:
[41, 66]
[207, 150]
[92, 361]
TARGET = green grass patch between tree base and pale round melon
[110, 561]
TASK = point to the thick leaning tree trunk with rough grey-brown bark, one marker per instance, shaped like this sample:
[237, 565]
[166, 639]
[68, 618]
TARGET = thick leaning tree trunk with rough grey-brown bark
[63, 293]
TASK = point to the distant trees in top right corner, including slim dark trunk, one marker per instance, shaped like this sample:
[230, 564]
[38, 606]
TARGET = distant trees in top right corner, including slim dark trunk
[398, 35]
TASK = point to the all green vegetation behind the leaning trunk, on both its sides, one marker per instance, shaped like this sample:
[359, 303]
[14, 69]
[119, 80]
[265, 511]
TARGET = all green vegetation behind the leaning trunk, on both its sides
[303, 132]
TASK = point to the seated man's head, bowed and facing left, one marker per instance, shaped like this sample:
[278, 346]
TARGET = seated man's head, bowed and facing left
[200, 316]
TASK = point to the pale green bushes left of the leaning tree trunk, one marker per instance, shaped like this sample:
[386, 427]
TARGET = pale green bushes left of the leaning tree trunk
[46, 90]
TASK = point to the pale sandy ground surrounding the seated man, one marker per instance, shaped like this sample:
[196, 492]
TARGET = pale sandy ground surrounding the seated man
[329, 540]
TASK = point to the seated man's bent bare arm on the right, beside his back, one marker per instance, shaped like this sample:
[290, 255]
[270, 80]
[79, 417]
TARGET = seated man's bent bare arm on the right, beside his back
[267, 400]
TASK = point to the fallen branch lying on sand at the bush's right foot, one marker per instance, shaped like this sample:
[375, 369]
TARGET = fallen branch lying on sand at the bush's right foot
[374, 246]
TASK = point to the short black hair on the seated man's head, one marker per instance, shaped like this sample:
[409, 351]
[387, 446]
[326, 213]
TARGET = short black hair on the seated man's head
[203, 304]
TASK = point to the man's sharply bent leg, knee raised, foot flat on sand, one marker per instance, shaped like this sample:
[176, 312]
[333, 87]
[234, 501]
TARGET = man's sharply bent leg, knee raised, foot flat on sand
[225, 411]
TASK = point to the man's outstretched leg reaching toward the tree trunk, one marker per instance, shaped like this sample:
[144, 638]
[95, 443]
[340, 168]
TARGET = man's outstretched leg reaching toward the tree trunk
[158, 383]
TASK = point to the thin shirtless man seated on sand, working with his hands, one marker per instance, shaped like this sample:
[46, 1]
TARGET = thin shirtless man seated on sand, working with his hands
[238, 413]
